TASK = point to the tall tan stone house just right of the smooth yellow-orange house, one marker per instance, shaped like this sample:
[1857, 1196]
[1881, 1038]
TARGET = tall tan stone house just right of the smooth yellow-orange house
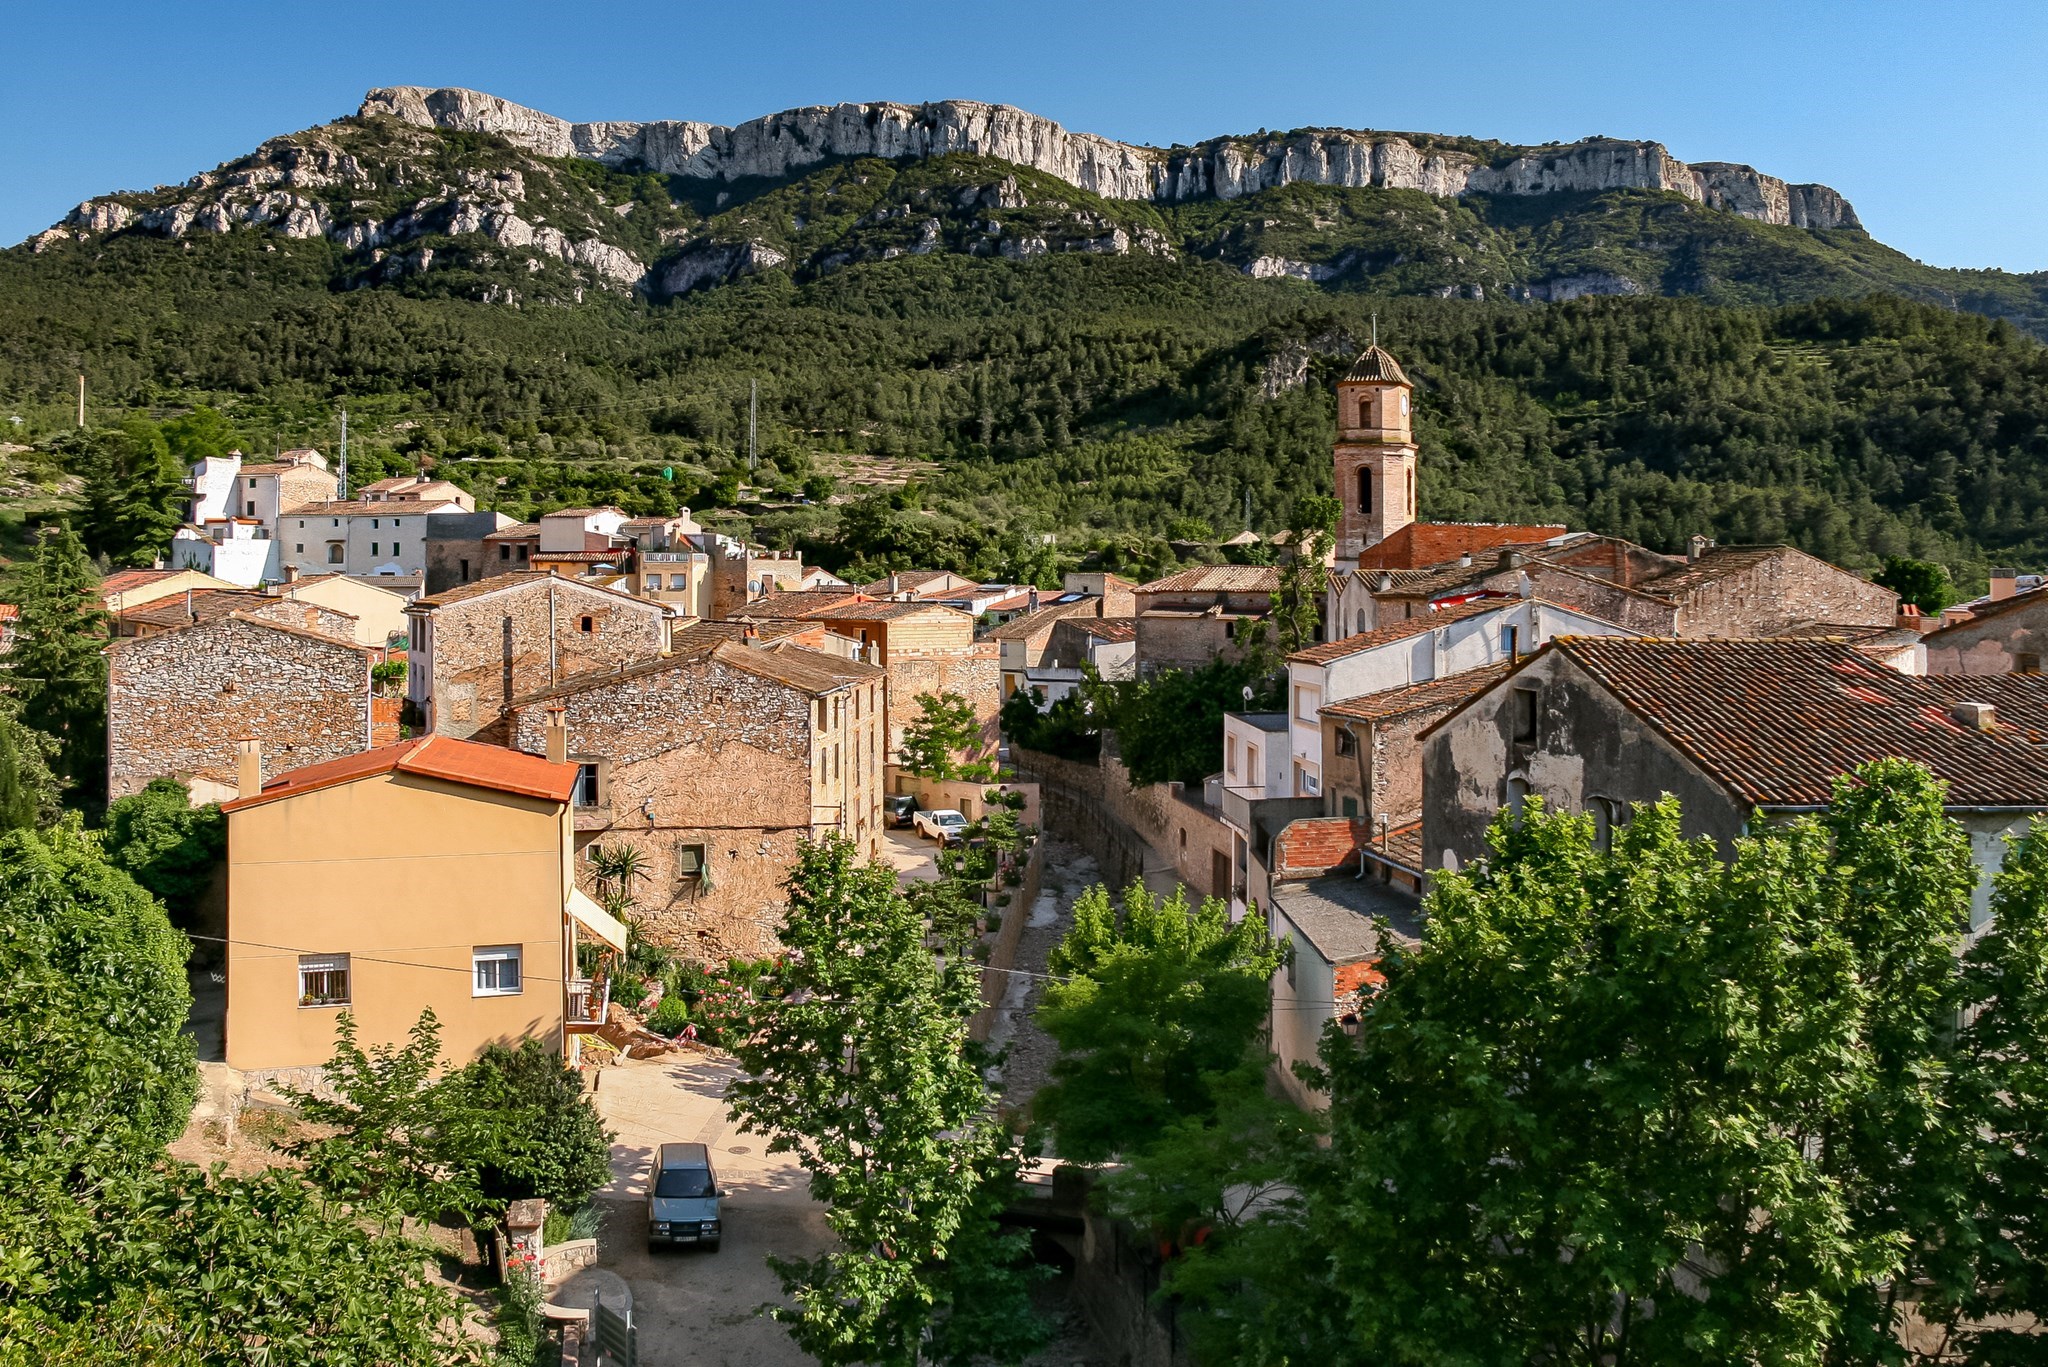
[716, 765]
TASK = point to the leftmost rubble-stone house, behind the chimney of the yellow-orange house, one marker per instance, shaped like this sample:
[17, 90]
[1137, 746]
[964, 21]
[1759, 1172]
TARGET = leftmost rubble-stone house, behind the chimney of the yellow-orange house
[181, 702]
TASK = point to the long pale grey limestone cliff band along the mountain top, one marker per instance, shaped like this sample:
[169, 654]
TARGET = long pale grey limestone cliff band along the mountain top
[796, 140]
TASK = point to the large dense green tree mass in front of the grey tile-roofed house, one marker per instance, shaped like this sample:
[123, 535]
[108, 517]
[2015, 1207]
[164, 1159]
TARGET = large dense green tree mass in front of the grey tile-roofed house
[1644, 1106]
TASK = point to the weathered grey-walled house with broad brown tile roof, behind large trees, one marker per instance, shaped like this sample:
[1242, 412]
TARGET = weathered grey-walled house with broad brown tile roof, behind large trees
[1738, 731]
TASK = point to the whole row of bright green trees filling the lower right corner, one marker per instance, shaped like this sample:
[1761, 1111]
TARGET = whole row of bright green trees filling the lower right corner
[1652, 1104]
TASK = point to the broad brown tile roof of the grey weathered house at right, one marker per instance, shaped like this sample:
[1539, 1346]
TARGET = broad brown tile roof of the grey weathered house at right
[1777, 722]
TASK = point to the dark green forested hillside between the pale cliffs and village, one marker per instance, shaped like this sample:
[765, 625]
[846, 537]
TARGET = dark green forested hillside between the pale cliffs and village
[1123, 384]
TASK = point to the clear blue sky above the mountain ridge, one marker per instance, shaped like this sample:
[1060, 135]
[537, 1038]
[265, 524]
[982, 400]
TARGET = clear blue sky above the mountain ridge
[1930, 118]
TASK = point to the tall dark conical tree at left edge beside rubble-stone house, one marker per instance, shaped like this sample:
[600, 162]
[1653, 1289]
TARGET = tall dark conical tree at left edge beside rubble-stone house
[56, 669]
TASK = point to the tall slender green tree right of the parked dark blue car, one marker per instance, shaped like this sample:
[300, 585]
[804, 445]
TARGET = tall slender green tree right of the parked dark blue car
[863, 1069]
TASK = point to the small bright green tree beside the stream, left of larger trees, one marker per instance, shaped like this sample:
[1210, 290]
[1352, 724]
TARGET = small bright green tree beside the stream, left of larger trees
[1154, 1005]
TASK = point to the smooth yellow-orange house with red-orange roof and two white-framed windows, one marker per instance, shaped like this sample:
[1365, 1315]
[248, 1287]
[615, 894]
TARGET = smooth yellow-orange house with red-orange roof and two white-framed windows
[421, 874]
